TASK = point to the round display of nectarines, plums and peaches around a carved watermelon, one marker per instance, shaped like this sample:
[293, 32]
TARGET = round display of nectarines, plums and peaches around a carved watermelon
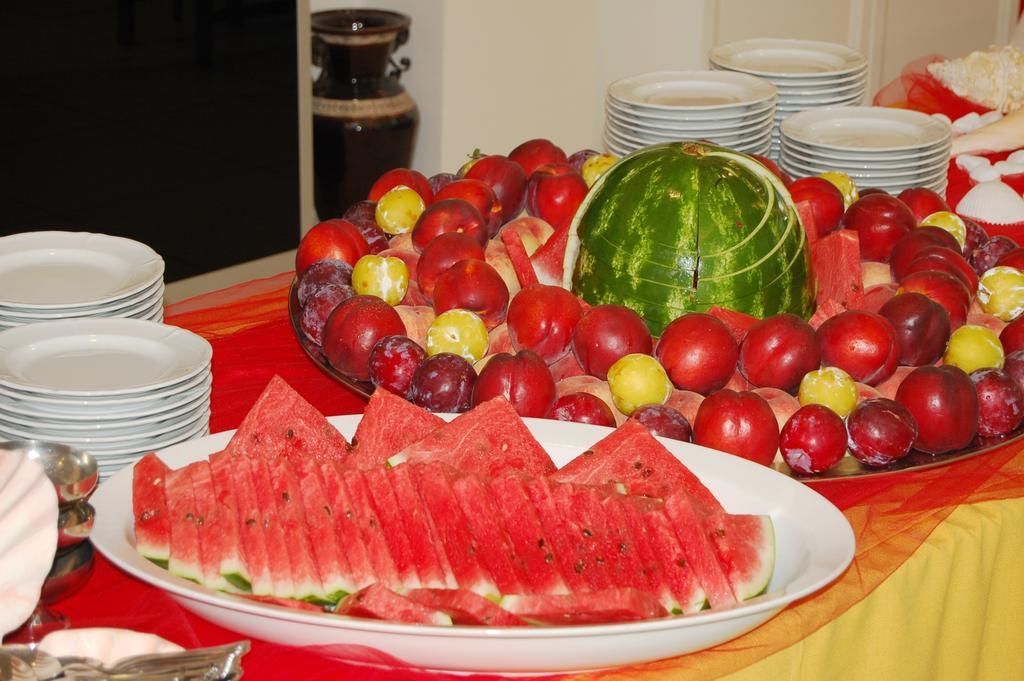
[696, 290]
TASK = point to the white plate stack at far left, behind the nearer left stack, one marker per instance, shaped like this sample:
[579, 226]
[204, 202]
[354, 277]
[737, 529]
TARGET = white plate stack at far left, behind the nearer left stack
[47, 276]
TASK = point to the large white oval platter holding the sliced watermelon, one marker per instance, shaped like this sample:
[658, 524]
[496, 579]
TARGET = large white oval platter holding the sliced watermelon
[815, 546]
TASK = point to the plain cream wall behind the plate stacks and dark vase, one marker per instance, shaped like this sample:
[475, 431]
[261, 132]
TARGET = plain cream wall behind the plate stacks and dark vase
[491, 74]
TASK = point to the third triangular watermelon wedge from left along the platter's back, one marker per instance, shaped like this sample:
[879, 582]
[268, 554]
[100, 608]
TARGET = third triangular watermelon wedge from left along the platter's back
[491, 440]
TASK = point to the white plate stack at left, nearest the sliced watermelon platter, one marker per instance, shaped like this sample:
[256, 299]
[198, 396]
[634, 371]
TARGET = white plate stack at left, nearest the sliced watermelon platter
[114, 388]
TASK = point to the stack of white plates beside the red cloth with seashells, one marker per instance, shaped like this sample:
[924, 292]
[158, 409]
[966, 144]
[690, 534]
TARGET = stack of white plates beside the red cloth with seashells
[889, 149]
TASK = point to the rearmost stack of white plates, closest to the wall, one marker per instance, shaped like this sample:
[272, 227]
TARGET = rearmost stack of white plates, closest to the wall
[807, 73]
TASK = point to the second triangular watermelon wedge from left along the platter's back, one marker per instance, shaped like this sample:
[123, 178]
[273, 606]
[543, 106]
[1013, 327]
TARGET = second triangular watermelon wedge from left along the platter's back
[390, 424]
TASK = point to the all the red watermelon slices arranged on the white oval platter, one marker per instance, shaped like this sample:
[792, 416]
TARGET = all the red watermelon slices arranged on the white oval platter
[440, 523]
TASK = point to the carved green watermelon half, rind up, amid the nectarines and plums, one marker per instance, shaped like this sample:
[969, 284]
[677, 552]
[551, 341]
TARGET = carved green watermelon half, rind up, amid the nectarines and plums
[682, 227]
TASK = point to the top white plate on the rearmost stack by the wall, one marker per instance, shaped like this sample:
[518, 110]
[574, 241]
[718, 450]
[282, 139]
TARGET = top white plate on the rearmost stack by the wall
[794, 59]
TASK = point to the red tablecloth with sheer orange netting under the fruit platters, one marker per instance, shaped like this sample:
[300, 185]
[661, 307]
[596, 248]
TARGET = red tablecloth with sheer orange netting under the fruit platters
[247, 325]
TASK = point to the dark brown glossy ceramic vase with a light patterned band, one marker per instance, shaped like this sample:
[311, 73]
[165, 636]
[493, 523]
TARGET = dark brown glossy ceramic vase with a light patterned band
[365, 122]
